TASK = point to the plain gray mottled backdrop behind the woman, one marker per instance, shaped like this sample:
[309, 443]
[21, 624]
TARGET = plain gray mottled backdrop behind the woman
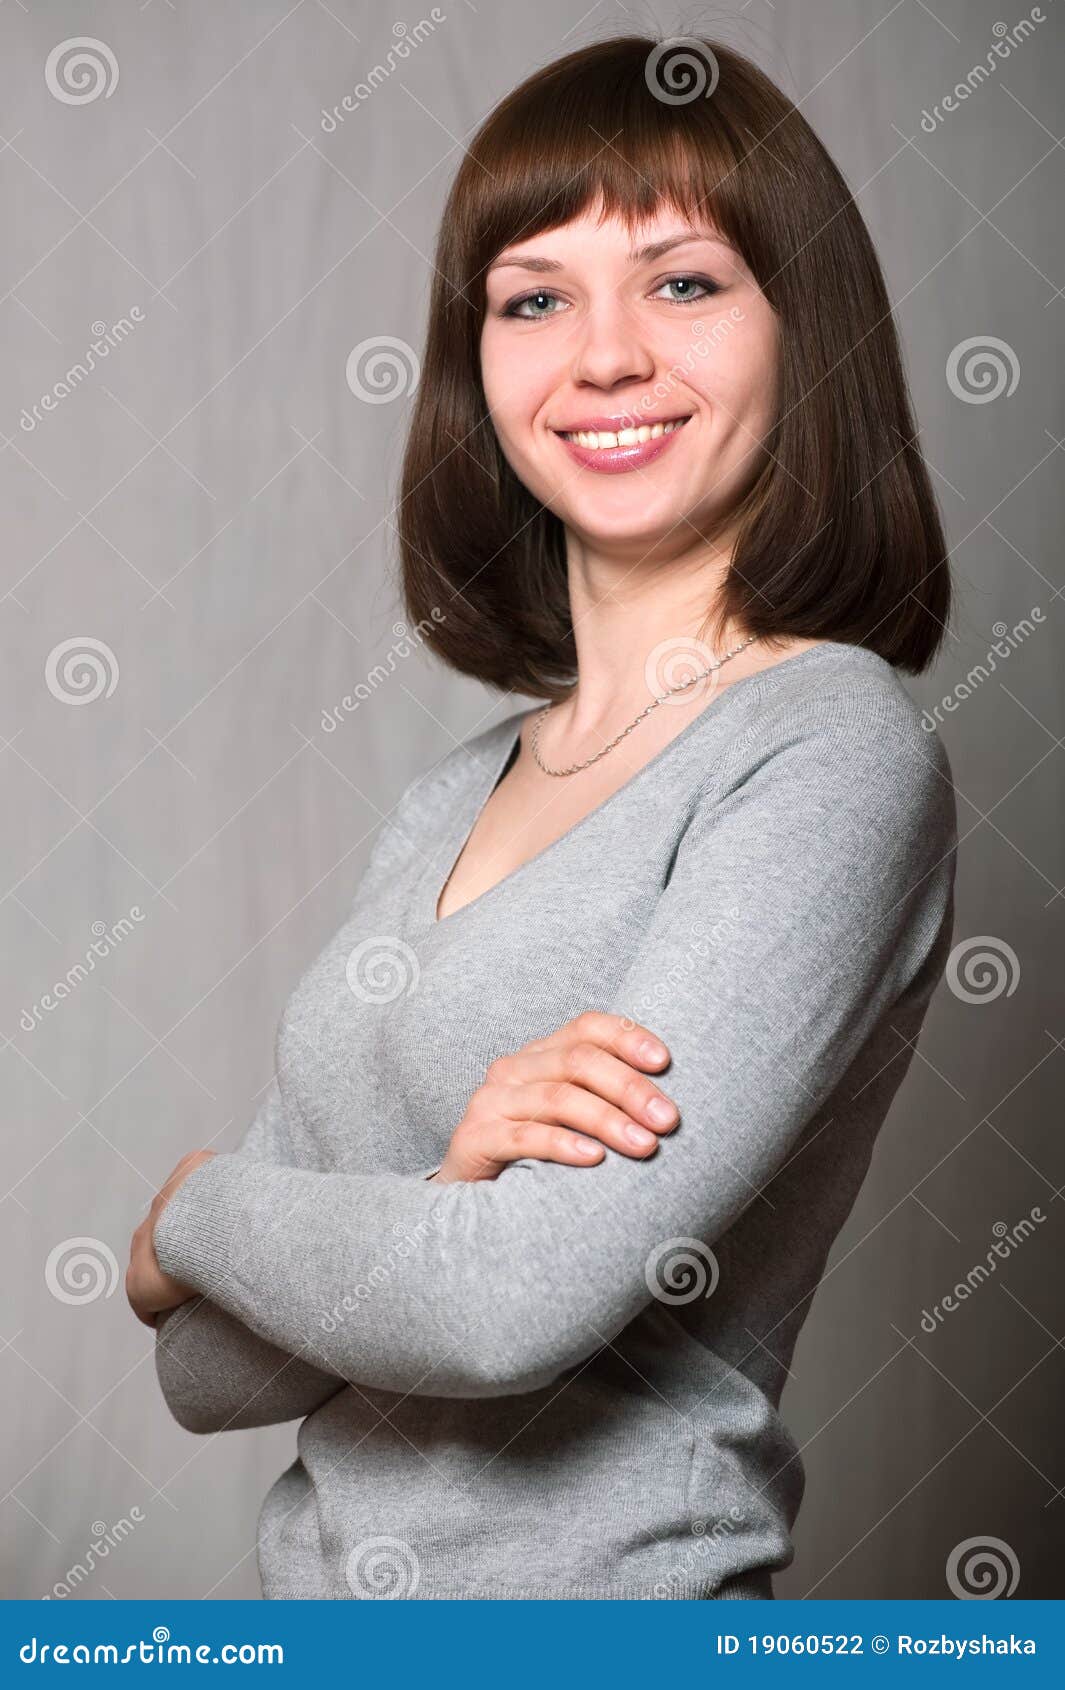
[214, 506]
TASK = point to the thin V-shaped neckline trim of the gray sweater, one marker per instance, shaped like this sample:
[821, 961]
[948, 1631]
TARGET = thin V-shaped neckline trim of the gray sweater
[471, 810]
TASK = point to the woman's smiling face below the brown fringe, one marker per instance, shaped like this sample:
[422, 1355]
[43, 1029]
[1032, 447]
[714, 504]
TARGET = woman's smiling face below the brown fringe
[587, 337]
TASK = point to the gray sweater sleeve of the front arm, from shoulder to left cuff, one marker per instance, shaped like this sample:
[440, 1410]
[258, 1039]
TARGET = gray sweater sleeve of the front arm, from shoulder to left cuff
[800, 908]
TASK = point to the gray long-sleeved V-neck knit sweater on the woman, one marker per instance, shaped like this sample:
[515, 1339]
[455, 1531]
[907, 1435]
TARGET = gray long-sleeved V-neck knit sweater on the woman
[565, 1382]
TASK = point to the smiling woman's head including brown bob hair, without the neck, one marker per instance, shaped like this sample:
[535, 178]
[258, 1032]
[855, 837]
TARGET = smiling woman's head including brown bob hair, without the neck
[611, 258]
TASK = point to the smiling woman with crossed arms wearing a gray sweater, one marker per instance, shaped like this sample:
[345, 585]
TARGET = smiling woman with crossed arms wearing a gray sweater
[662, 474]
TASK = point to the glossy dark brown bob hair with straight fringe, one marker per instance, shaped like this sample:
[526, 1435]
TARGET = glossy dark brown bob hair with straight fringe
[838, 537]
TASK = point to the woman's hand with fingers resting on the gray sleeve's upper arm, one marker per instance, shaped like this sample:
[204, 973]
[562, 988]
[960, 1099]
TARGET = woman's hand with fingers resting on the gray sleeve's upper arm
[547, 1098]
